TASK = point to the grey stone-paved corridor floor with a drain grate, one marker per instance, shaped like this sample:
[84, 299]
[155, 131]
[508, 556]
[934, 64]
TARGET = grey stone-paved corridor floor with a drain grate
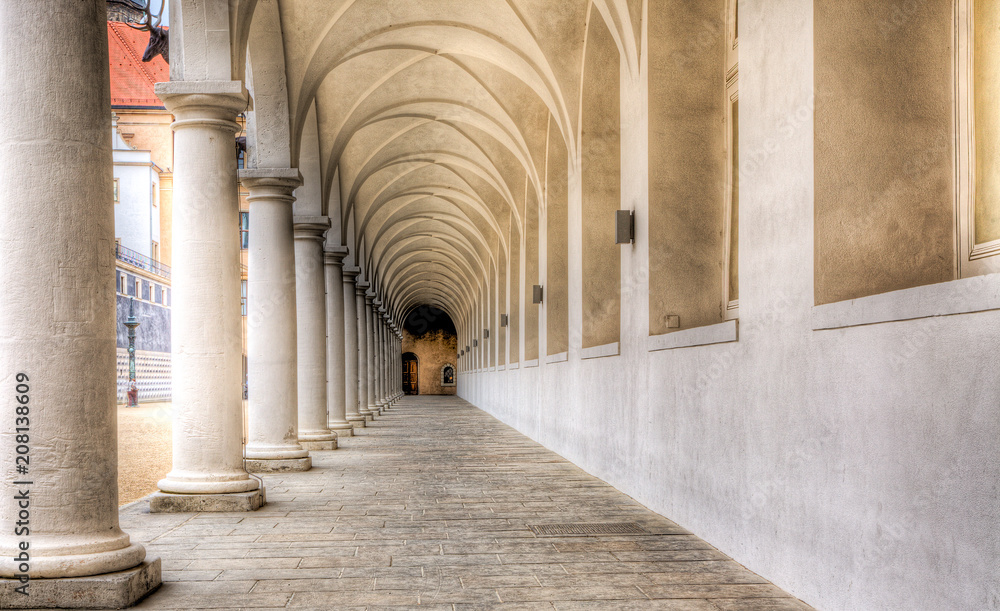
[432, 506]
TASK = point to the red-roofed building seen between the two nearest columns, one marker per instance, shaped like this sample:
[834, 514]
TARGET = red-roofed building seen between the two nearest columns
[142, 144]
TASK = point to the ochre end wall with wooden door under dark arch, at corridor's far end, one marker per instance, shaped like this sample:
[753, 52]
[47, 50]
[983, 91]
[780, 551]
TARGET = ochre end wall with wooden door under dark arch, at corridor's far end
[431, 344]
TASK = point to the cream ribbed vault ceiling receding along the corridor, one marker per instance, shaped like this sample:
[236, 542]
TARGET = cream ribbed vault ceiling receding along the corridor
[423, 128]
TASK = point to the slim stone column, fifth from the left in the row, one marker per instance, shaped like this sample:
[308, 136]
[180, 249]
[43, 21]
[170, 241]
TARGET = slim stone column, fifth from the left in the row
[336, 395]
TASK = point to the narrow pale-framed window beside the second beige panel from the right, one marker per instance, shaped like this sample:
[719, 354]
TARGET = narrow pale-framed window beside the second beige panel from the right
[731, 279]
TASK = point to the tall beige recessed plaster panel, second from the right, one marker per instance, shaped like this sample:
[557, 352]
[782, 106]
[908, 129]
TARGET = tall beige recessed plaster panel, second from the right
[687, 160]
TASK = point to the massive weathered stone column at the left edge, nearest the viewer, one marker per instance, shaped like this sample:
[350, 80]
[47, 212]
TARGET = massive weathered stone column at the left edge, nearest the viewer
[58, 433]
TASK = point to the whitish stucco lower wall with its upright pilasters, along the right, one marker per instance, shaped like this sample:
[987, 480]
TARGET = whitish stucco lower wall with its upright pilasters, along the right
[855, 467]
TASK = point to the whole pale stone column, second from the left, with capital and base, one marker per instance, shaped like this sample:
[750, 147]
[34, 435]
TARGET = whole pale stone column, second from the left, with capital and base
[206, 321]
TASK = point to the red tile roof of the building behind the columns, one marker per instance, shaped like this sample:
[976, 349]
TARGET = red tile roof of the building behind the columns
[132, 79]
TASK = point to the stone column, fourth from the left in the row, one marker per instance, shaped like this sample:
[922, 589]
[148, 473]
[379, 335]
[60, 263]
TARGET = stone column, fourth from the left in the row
[310, 306]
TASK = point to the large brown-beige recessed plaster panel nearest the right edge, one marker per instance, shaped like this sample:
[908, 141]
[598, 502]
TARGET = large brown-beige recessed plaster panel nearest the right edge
[884, 152]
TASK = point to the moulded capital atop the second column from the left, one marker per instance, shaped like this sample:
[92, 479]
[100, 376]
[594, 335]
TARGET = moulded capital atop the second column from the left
[203, 103]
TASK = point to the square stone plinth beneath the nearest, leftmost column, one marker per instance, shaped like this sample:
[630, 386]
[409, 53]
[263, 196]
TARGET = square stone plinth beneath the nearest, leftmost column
[109, 591]
